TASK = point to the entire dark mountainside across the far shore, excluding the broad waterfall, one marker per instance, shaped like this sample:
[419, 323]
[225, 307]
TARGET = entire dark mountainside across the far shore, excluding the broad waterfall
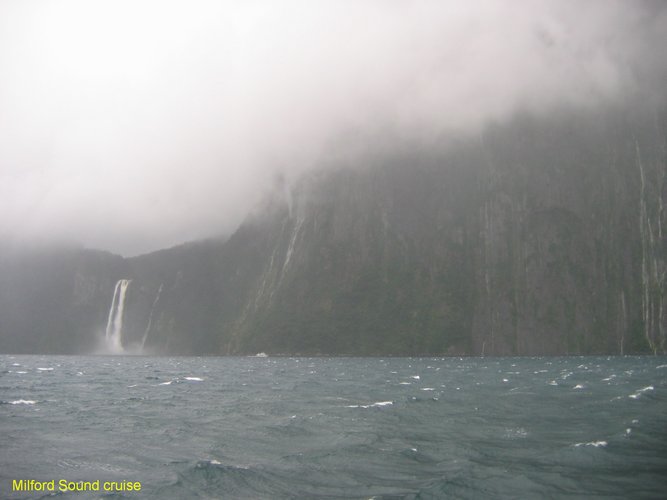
[540, 236]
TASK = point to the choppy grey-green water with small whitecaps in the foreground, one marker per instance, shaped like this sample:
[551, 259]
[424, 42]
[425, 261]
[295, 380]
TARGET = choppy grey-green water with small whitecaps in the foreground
[337, 428]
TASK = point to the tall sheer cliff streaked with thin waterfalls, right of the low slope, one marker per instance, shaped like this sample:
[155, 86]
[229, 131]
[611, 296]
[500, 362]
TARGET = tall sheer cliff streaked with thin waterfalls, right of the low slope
[539, 237]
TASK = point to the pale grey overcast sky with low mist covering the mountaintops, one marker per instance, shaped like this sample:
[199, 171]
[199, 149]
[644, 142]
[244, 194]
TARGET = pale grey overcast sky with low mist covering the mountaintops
[135, 125]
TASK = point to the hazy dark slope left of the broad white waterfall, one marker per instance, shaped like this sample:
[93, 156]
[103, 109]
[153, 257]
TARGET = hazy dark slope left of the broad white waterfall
[55, 301]
